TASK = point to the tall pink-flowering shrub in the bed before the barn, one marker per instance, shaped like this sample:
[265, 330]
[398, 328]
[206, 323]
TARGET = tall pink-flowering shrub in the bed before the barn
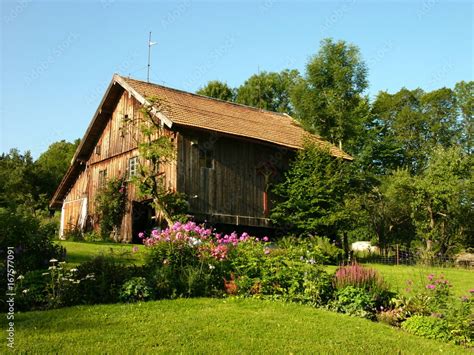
[188, 259]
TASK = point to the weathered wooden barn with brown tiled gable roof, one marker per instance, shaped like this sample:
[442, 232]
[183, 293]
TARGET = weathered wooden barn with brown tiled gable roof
[226, 156]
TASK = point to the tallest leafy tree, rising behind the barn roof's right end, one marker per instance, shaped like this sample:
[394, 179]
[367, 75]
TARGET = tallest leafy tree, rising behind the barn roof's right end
[330, 99]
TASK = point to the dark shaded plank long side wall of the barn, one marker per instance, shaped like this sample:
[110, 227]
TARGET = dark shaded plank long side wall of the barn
[232, 191]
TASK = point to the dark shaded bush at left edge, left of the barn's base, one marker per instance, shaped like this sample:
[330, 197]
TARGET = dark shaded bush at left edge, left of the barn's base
[31, 237]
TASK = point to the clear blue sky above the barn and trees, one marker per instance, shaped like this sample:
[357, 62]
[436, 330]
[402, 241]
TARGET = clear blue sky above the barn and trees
[57, 57]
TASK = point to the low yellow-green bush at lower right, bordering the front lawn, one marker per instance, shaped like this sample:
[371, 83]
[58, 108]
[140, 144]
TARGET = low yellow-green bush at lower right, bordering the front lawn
[428, 327]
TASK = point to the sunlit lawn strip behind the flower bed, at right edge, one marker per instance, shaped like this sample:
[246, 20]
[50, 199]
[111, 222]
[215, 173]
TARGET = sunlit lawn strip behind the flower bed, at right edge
[397, 276]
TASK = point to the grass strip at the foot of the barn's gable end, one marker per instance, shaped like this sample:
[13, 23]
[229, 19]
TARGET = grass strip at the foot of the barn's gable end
[79, 252]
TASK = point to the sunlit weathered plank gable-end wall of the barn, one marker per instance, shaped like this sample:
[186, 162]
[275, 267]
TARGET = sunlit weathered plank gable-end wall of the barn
[116, 145]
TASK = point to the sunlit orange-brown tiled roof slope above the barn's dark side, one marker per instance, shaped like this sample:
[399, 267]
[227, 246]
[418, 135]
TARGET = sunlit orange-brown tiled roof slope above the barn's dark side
[192, 110]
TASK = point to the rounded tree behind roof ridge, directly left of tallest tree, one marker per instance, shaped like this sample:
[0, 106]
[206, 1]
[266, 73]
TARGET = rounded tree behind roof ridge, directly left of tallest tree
[269, 90]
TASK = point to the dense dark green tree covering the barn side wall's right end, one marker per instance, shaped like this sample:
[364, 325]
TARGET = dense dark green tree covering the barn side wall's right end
[310, 199]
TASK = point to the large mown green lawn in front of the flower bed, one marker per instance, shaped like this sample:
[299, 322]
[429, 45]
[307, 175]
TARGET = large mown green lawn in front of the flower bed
[212, 326]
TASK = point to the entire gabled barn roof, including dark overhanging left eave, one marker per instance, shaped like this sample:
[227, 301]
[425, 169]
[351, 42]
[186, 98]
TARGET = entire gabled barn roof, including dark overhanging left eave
[191, 110]
